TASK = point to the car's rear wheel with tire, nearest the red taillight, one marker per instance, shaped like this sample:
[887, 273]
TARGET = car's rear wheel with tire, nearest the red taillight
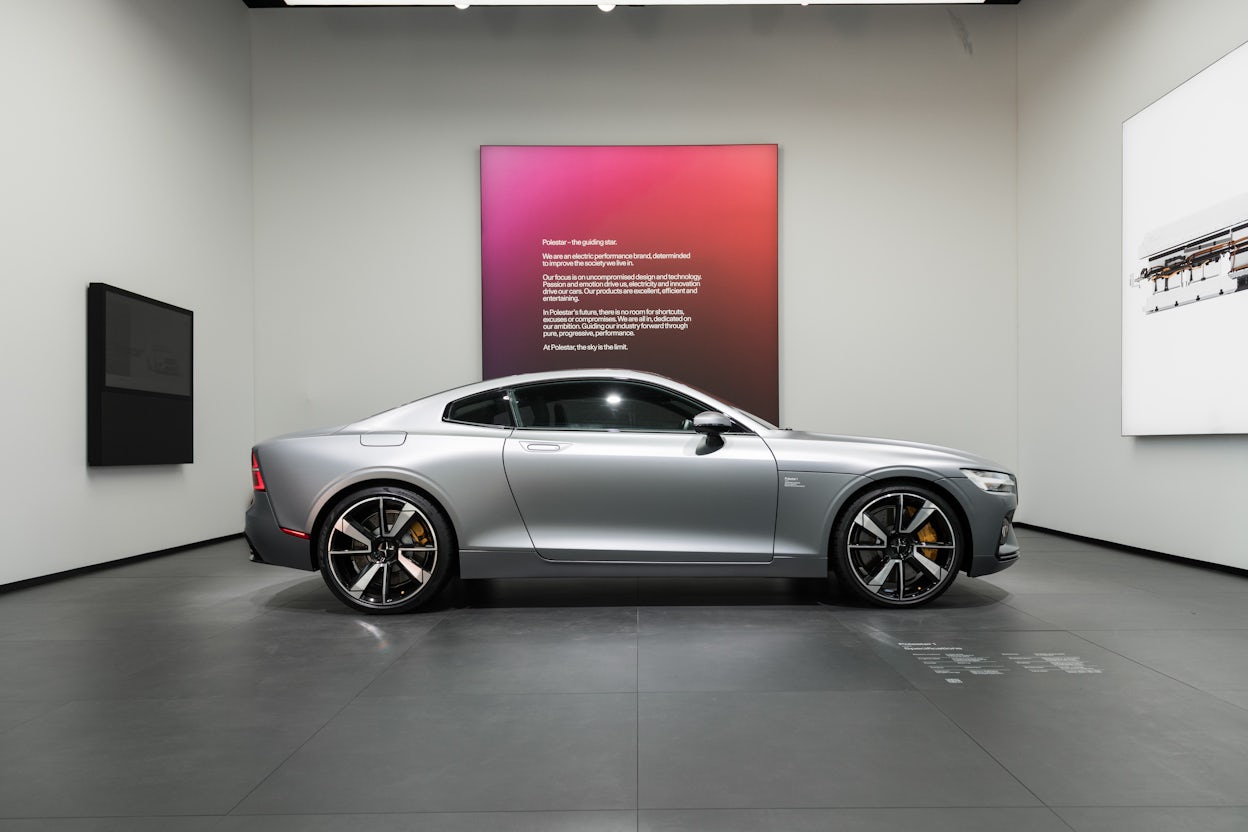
[385, 551]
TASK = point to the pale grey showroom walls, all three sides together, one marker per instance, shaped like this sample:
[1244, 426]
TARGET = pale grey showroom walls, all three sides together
[910, 253]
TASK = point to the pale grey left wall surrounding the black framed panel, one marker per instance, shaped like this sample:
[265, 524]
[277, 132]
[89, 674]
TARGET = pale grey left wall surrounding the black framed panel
[125, 158]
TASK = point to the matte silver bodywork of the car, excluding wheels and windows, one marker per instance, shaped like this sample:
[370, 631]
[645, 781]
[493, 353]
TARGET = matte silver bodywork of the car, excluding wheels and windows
[563, 503]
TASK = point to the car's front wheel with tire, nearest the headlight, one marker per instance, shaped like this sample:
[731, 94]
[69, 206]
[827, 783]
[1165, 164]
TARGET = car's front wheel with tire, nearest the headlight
[898, 564]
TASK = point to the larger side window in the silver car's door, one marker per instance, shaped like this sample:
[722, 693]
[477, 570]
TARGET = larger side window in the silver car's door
[605, 406]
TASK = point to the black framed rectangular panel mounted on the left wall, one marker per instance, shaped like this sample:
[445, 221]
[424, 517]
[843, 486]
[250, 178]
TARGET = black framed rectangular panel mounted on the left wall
[140, 392]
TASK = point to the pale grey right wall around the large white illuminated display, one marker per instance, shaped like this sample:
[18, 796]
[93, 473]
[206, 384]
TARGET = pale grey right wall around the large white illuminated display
[1084, 68]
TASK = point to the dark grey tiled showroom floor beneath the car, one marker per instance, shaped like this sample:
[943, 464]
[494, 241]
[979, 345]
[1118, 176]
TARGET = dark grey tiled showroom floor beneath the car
[1085, 689]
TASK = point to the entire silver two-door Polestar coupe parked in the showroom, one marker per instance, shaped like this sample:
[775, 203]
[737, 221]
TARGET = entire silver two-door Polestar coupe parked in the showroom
[617, 473]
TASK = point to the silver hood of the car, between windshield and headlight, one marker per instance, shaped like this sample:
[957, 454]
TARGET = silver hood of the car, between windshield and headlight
[799, 451]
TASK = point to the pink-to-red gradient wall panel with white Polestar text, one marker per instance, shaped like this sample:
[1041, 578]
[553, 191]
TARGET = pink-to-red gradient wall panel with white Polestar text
[716, 203]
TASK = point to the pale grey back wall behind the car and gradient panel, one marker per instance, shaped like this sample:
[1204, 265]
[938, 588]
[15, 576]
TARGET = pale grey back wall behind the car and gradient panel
[897, 133]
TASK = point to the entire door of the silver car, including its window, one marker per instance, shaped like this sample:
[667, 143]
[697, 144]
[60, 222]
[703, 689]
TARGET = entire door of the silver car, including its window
[612, 471]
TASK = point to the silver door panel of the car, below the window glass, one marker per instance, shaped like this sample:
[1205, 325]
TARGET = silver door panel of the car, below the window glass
[645, 497]
